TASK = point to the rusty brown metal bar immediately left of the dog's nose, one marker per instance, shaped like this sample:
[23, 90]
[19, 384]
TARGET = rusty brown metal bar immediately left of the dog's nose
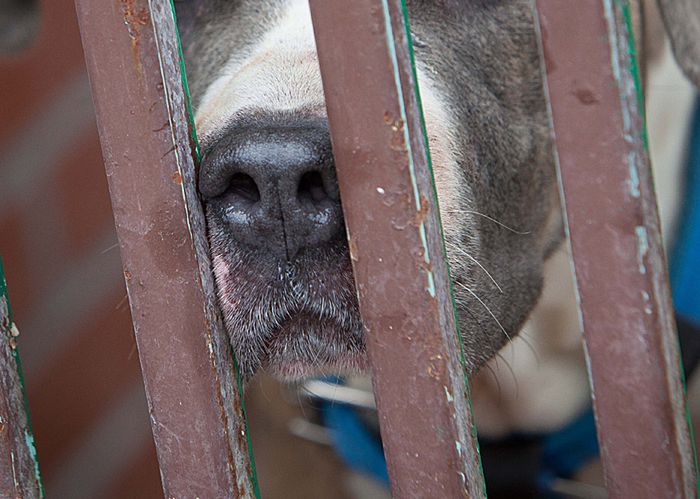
[133, 59]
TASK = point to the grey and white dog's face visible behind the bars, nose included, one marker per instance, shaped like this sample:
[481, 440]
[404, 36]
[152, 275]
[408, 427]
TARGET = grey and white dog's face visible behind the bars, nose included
[267, 180]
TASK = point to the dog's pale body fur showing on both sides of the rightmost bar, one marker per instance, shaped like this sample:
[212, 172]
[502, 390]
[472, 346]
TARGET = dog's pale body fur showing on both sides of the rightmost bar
[539, 382]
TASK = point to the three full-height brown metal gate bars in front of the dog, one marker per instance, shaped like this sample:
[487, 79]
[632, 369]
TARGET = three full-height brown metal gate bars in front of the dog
[194, 393]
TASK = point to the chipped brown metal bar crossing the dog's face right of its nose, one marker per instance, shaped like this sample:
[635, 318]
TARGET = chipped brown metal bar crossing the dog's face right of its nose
[396, 248]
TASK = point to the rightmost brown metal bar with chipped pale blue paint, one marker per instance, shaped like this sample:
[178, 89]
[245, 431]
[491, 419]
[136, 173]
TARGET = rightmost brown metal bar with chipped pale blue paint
[616, 242]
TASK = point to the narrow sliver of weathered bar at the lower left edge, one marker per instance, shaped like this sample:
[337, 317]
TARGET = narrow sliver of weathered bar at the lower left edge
[19, 469]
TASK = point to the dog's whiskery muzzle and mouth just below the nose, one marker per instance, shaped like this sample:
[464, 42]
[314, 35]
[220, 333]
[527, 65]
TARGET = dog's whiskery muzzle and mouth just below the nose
[289, 318]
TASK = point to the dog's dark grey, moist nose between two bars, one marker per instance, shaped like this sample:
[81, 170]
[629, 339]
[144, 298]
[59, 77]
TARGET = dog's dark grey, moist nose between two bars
[274, 187]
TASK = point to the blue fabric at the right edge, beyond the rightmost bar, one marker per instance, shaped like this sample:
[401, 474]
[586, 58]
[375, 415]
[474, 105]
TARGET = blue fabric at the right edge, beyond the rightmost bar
[685, 257]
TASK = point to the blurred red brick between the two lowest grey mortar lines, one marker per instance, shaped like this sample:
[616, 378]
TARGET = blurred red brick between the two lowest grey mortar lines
[82, 382]
